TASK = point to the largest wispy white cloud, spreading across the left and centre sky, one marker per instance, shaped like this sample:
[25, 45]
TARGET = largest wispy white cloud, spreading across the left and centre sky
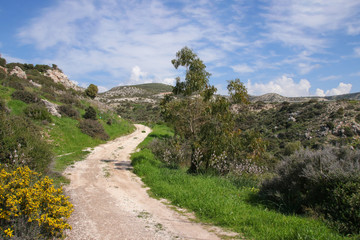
[113, 36]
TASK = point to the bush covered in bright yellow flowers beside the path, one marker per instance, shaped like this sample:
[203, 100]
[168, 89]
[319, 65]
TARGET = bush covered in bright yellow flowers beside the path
[31, 207]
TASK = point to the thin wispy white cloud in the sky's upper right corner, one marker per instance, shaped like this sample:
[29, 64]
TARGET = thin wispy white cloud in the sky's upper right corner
[305, 23]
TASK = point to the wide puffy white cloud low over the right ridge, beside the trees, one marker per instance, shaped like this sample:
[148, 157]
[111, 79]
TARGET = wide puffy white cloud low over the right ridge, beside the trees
[284, 86]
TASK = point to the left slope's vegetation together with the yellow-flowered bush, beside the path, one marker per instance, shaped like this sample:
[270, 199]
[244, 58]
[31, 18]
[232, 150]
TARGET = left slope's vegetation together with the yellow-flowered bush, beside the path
[32, 140]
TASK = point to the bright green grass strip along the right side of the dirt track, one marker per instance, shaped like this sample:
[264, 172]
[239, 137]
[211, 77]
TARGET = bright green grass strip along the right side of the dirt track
[221, 202]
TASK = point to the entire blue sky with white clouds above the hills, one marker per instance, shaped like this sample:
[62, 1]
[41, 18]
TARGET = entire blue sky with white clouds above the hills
[291, 47]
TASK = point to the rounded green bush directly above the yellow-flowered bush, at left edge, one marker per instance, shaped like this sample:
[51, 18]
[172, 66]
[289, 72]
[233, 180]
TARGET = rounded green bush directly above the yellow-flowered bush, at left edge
[22, 144]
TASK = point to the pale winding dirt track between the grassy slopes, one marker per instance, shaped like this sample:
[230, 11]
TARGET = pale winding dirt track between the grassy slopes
[110, 202]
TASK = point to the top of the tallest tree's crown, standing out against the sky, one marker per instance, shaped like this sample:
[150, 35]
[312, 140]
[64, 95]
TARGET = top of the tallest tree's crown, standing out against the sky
[196, 77]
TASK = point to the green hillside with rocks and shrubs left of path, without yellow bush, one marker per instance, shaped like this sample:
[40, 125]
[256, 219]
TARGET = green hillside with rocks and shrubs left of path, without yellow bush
[51, 118]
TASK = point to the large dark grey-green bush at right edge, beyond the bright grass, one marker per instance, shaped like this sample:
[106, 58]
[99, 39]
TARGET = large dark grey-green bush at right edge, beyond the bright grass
[326, 181]
